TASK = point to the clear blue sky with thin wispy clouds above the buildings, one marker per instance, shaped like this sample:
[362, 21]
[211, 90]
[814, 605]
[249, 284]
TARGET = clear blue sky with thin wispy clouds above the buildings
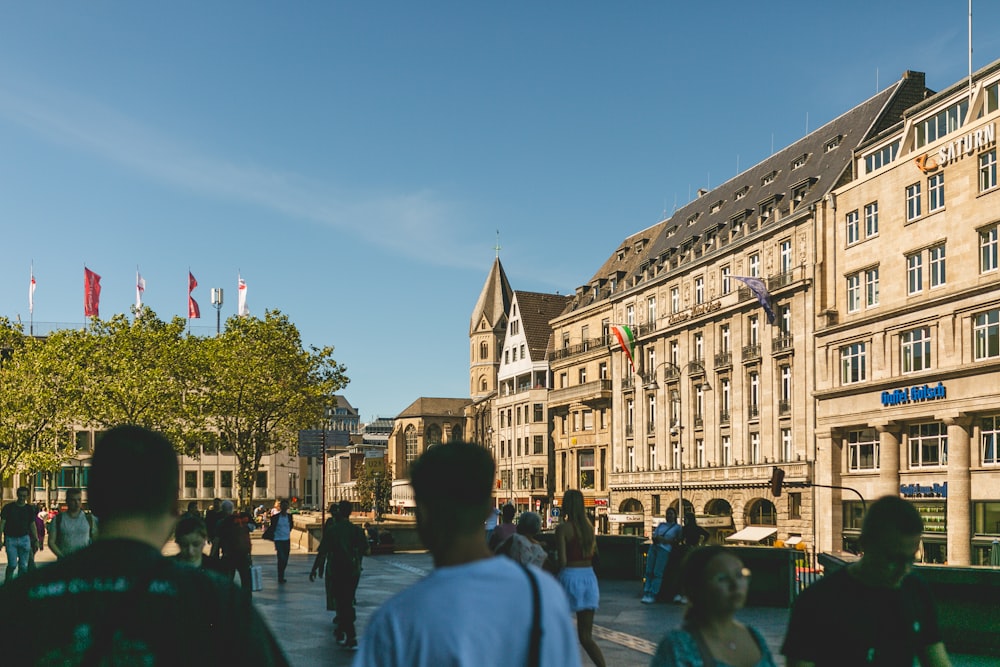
[354, 160]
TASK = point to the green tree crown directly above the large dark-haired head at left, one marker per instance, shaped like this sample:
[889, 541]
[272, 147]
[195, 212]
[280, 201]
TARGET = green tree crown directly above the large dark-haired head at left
[141, 372]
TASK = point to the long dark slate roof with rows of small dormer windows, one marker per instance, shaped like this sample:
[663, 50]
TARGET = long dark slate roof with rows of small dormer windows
[772, 180]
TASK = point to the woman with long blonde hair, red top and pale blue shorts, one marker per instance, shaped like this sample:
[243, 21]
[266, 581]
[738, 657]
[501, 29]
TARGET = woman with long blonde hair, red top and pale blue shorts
[577, 546]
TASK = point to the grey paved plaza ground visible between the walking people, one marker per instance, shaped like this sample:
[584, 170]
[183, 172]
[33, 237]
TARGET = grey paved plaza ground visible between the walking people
[626, 630]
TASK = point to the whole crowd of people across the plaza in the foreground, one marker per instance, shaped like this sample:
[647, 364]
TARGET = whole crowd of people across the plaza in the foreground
[111, 591]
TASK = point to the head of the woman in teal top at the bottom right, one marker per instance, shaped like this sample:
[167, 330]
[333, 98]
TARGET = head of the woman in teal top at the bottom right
[715, 583]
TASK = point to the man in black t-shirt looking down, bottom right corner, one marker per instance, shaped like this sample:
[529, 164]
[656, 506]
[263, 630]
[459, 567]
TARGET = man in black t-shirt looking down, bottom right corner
[874, 611]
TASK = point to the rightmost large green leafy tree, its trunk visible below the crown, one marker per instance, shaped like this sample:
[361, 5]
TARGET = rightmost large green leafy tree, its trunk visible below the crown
[262, 386]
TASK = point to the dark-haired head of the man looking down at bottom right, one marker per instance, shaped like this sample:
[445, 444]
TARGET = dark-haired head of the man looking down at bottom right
[890, 538]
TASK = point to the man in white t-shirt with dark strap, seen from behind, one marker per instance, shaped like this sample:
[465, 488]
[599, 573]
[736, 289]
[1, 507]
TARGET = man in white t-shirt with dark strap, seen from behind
[451, 616]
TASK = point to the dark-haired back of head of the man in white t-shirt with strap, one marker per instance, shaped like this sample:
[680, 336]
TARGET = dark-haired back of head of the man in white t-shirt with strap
[452, 486]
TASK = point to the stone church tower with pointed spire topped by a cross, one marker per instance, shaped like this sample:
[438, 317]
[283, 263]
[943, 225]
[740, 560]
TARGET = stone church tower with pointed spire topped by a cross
[487, 330]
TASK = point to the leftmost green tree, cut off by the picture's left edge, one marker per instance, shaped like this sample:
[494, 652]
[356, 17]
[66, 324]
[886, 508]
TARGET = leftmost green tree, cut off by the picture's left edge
[36, 406]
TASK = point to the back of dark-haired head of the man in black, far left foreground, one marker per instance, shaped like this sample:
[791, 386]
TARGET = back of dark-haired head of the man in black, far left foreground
[116, 491]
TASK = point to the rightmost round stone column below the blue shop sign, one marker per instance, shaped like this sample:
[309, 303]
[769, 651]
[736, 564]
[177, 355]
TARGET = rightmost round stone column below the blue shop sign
[959, 491]
